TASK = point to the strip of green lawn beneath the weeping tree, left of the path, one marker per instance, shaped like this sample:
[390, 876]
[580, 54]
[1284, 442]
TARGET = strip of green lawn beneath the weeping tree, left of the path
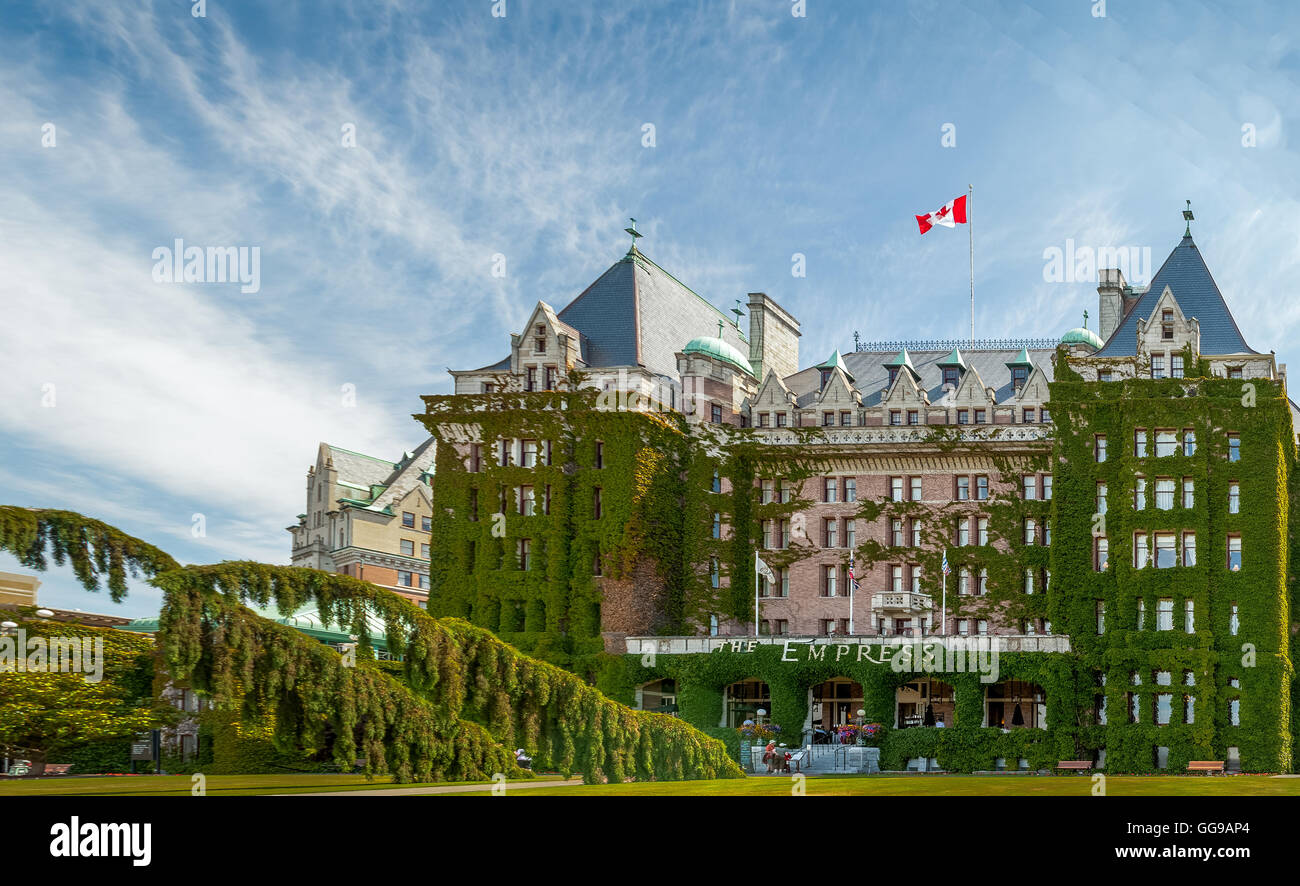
[180, 785]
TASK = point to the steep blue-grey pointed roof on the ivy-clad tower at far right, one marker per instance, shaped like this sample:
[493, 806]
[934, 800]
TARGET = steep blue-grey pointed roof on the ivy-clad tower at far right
[1197, 293]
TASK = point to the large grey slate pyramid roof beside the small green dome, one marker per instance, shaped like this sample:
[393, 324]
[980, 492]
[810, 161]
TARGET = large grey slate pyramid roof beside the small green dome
[638, 314]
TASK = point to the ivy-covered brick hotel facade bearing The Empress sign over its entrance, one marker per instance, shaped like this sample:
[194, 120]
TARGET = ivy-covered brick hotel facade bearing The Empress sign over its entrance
[1138, 600]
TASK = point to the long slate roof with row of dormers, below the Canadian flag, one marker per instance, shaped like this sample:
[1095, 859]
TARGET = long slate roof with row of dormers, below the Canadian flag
[872, 371]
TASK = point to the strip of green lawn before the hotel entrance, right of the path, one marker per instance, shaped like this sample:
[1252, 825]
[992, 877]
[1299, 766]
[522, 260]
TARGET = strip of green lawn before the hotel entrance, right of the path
[942, 787]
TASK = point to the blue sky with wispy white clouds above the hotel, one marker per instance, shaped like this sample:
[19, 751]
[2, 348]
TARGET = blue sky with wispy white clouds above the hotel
[523, 137]
